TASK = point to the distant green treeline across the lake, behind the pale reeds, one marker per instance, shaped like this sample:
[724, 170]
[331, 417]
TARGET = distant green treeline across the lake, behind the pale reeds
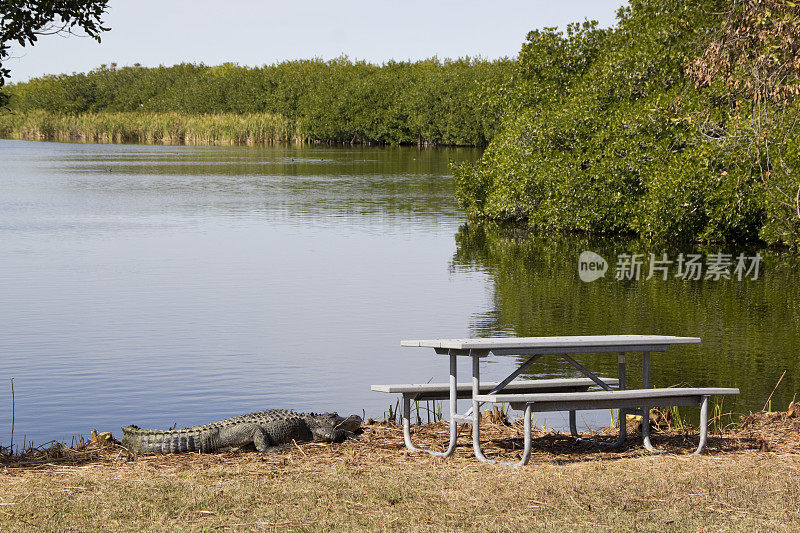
[435, 102]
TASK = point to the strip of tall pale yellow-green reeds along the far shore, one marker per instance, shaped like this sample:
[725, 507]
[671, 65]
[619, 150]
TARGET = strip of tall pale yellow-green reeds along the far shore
[167, 128]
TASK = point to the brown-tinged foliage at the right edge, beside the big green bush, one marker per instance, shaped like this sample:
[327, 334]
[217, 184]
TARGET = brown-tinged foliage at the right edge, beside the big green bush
[751, 71]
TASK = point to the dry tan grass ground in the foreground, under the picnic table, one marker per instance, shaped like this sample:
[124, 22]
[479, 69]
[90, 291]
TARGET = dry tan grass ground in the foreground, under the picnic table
[749, 481]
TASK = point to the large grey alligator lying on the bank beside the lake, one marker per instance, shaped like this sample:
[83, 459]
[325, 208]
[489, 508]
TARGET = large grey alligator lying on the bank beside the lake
[269, 430]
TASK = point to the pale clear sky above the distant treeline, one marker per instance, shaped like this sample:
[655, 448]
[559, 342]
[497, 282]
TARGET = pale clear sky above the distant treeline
[255, 33]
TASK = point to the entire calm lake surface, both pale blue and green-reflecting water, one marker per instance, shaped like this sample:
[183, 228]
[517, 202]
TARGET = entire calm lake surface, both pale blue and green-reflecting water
[177, 285]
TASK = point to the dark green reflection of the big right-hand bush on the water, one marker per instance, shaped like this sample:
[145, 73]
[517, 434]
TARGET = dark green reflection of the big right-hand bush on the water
[750, 328]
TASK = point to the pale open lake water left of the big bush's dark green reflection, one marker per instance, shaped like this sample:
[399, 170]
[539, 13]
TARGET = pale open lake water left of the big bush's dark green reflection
[175, 285]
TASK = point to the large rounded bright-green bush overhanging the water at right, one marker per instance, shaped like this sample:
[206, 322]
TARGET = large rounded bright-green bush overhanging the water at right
[604, 132]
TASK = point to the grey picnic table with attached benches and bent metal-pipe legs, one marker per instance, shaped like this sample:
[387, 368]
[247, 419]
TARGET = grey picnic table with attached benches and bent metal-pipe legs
[557, 395]
